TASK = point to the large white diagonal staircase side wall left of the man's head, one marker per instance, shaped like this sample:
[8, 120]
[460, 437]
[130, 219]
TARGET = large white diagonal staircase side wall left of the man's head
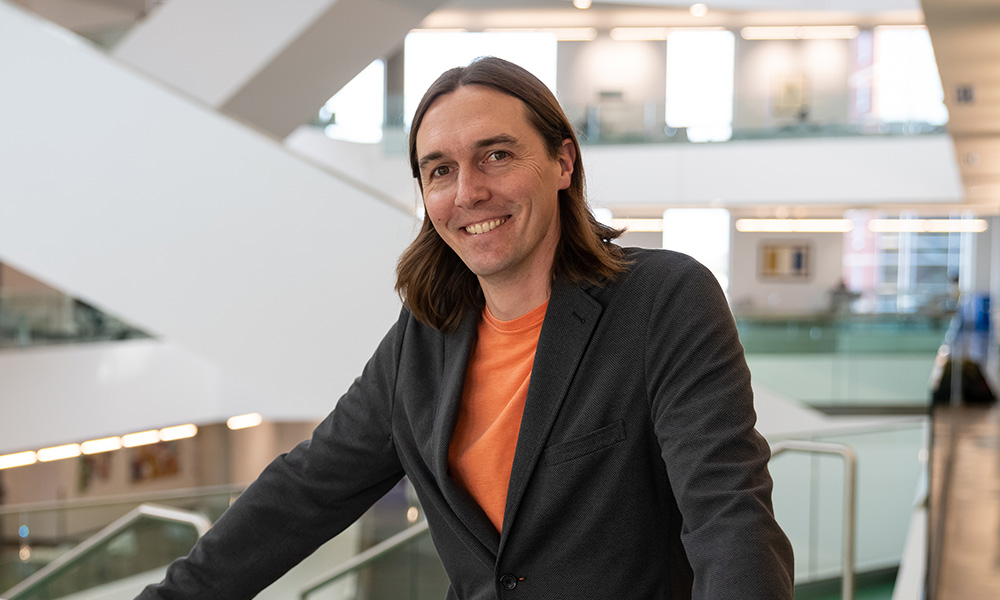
[189, 225]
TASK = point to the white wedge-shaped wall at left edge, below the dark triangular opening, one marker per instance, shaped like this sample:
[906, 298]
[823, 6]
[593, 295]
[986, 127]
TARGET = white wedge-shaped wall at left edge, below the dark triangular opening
[71, 393]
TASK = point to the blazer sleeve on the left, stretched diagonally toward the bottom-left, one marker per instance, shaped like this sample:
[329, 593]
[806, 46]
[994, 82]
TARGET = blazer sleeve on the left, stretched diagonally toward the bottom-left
[303, 498]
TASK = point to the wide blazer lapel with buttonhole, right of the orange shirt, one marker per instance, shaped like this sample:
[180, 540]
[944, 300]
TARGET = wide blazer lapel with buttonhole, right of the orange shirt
[569, 323]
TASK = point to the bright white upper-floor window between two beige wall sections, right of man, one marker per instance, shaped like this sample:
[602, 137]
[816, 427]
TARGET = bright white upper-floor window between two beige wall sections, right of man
[700, 71]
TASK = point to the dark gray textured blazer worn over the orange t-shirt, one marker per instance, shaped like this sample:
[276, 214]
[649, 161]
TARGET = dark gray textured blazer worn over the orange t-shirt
[637, 475]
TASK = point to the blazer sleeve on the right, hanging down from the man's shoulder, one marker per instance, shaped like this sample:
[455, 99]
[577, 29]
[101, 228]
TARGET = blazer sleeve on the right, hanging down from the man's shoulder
[702, 407]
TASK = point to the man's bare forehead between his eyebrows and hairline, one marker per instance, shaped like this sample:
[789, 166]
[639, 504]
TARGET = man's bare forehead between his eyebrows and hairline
[469, 114]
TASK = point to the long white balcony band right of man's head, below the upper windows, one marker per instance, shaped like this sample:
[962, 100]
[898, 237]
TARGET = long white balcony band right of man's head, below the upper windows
[861, 170]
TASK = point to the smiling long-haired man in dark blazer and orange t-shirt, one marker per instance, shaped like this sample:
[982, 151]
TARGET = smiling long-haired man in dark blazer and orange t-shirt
[576, 418]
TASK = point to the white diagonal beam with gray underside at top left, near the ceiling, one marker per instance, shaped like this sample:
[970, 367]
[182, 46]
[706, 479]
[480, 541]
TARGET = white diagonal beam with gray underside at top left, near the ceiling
[271, 64]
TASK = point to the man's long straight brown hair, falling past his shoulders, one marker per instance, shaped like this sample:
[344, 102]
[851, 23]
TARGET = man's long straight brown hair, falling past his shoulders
[431, 279]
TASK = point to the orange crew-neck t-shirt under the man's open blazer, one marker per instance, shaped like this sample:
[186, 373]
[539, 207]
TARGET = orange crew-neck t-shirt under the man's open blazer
[481, 453]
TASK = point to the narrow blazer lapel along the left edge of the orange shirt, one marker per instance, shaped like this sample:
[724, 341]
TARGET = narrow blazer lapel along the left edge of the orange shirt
[457, 353]
